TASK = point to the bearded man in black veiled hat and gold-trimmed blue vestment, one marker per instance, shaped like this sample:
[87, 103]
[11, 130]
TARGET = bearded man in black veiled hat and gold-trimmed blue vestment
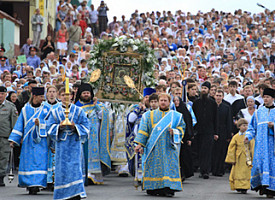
[97, 147]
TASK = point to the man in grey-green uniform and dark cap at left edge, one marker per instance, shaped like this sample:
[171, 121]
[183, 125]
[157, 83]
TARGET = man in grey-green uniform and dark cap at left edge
[8, 117]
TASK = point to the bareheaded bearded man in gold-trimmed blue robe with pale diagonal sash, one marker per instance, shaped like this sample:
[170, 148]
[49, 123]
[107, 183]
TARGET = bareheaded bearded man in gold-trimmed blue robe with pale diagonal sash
[159, 136]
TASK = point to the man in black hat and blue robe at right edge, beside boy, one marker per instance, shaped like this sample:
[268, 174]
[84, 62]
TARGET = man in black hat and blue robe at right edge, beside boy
[261, 128]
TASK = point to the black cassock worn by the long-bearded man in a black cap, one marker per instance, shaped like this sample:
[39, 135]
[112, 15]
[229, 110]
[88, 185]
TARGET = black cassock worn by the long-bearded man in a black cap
[205, 110]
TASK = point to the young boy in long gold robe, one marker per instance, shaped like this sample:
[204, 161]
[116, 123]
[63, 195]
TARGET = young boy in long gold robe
[240, 156]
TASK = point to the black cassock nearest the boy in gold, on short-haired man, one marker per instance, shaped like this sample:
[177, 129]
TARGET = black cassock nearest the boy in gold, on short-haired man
[220, 146]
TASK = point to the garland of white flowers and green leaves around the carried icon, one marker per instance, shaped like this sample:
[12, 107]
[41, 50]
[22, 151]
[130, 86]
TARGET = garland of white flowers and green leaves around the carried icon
[122, 44]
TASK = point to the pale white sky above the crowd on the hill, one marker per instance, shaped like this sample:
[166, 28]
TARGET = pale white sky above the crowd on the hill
[126, 7]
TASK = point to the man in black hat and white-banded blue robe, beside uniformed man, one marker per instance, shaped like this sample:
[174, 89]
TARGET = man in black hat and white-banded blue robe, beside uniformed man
[30, 128]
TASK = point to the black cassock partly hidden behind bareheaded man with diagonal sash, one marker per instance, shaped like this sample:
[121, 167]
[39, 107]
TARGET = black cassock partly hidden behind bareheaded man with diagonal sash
[186, 164]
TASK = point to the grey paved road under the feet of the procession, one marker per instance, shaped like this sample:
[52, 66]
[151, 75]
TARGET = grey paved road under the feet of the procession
[117, 188]
